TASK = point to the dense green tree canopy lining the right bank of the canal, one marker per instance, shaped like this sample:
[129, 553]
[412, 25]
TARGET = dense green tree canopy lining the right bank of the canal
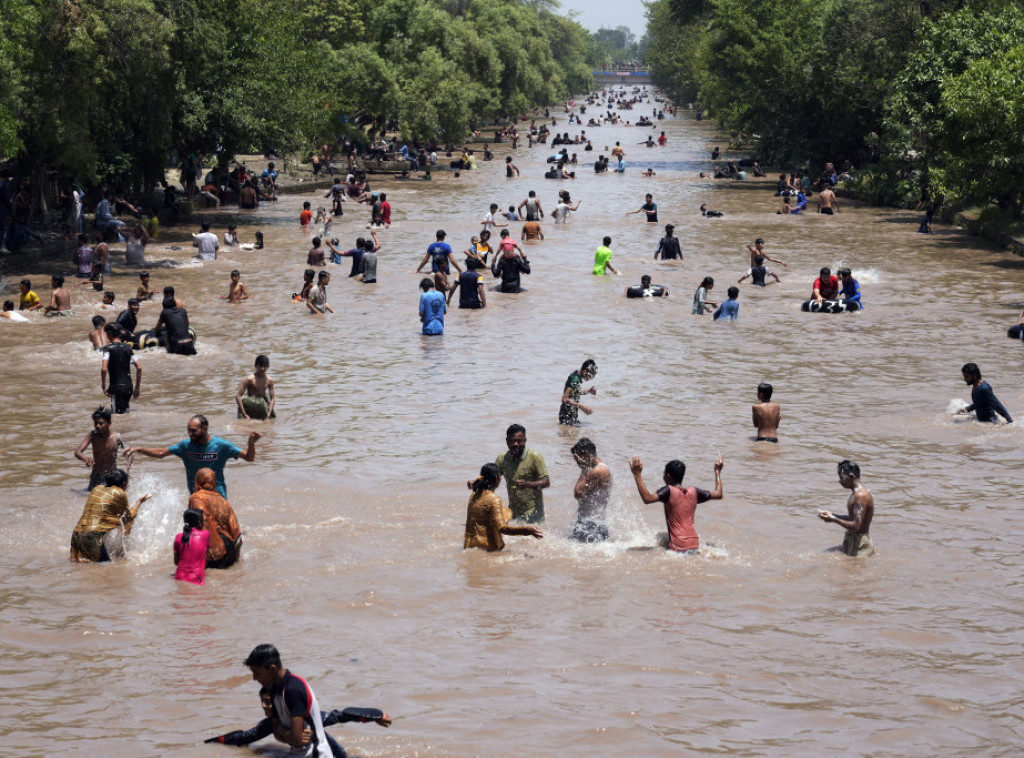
[933, 87]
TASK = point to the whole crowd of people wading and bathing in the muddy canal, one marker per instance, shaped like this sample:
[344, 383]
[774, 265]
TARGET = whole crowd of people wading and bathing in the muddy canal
[211, 537]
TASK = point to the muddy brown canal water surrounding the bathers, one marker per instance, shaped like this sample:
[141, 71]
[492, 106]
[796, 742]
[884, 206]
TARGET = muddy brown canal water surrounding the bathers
[354, 513]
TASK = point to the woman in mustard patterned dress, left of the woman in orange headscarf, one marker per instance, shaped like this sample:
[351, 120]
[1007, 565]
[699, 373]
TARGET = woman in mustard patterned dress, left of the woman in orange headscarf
[106, 517]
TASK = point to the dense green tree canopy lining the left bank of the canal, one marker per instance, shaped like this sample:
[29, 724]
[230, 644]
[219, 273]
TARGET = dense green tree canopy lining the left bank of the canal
[107, 91]
